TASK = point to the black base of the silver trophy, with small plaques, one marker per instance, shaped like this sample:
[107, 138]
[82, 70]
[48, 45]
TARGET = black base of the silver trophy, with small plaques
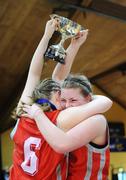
[51, 53]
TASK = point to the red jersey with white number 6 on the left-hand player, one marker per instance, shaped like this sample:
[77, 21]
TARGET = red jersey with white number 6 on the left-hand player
[33, 158]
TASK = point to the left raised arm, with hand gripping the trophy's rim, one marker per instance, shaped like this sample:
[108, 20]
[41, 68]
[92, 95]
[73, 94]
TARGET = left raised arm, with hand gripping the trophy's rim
[36, 65]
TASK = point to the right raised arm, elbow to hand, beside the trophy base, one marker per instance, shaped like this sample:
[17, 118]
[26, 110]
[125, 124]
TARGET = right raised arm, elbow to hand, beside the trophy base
[61, 71]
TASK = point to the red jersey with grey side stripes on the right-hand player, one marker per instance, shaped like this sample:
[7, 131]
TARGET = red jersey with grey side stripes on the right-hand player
[89, 163]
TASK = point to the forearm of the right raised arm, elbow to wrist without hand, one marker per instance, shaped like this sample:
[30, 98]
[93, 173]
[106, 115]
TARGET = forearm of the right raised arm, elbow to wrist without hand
[61, 71]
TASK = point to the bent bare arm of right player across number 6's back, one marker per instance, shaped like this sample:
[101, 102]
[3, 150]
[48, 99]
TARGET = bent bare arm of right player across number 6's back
[78, 136]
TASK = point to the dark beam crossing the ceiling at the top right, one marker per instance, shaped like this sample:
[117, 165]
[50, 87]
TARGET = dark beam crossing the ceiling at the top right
[102, 7]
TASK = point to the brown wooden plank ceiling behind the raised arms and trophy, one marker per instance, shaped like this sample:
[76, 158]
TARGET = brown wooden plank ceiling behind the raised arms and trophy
[102, 58]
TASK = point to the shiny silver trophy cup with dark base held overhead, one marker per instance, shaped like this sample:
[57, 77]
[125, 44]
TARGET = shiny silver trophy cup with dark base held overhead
[67, 29]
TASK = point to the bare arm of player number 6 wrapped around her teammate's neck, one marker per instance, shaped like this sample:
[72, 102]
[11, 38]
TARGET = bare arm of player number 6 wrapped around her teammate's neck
[99, 104]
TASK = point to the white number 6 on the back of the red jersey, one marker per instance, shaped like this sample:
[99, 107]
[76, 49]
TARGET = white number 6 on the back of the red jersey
[30, 163]
